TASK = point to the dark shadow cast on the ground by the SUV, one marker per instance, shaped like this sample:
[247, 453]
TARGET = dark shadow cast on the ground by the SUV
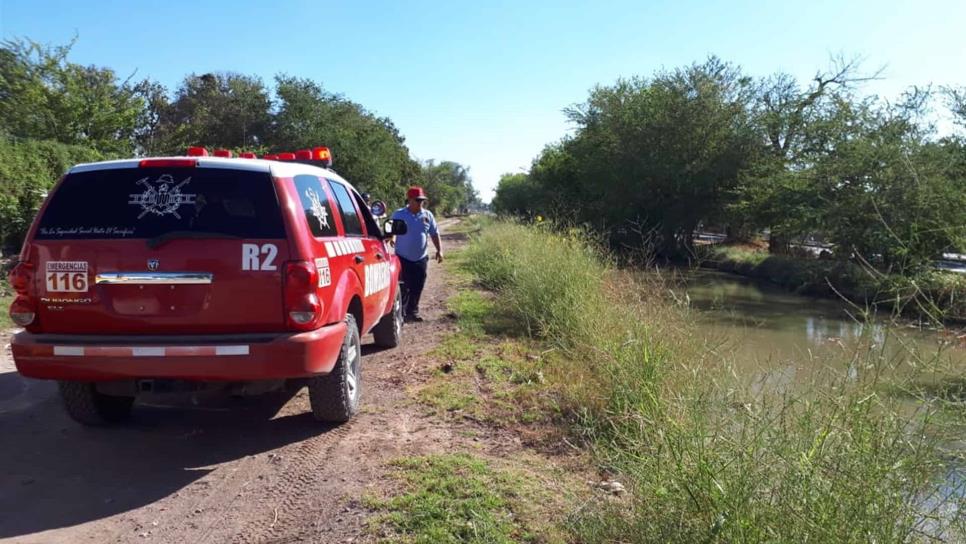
[55, 473]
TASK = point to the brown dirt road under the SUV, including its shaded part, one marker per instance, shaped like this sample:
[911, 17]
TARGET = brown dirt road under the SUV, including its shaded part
[256, 469]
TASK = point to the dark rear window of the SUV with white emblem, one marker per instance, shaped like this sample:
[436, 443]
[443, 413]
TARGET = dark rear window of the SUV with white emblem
[149, 202]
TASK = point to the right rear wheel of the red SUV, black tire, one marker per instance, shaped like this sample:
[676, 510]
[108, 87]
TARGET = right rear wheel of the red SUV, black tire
[335, 396]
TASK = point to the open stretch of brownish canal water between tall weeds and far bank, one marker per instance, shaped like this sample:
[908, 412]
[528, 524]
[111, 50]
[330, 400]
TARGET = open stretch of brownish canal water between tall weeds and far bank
[785, 338]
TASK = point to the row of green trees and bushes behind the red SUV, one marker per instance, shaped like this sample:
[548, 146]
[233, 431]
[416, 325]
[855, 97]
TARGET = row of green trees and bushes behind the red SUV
[56, 113]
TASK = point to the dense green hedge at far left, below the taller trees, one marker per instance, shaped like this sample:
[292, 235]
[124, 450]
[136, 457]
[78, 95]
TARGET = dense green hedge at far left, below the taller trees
[28, 168]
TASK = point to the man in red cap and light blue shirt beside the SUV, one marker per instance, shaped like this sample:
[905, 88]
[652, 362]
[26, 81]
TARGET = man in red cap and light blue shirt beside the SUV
[412, 249]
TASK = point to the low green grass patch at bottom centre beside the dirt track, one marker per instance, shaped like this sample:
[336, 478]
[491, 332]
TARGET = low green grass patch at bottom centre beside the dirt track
[460, 498]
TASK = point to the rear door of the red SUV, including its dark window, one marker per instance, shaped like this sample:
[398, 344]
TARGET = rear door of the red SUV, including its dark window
[161, 247]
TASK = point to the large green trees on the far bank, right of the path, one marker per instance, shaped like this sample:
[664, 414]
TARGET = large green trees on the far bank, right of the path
[708, 147]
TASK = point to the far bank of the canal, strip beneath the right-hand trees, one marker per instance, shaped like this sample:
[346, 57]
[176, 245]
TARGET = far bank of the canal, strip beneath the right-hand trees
[933, 295]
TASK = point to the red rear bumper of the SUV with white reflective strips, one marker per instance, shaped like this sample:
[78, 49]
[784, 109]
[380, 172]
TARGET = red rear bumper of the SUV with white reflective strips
[235, 358]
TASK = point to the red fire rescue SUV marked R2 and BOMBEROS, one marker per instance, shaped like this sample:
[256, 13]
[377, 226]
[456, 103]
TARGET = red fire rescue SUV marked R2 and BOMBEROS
[203, 271]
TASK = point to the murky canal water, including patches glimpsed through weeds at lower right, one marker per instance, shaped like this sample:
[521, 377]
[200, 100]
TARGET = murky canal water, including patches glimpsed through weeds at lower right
[782, 342]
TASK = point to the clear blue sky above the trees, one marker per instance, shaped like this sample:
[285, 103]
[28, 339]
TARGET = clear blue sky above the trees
[484, 82]
